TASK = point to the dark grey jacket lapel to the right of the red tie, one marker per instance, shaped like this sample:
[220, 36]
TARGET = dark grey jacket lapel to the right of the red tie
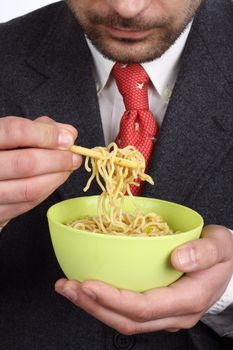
[197, 130]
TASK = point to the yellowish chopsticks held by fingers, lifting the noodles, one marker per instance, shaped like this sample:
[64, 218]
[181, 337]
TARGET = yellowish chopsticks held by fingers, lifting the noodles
[95, 154]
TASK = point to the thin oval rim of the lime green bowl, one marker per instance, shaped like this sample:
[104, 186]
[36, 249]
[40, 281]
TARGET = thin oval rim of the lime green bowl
[124, 237]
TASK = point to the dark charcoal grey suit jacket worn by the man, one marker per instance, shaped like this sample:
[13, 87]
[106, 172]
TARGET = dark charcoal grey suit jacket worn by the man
[46, 70]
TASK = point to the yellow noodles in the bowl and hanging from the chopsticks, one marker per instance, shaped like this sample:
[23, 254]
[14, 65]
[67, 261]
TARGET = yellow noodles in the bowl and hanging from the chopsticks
[115, 182]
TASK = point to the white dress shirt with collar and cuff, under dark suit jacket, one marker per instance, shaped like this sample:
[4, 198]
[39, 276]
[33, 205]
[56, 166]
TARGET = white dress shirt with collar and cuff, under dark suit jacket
[163, 74]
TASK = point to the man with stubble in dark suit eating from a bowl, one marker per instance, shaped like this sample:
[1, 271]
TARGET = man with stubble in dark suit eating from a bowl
[46, 69]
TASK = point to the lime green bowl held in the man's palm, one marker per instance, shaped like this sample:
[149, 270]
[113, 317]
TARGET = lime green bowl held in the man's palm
[134, 263]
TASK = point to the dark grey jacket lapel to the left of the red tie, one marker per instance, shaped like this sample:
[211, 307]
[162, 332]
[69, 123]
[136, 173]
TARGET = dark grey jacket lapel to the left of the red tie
[66, 90]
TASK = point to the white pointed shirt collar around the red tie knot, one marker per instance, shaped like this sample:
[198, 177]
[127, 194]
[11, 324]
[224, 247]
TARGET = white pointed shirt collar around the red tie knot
[162, 71]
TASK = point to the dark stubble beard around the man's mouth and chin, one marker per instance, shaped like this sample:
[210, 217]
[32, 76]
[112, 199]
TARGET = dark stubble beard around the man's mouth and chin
[132, 50]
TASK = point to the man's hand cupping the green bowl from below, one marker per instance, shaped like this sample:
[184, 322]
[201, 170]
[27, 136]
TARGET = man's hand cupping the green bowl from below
[208, 267]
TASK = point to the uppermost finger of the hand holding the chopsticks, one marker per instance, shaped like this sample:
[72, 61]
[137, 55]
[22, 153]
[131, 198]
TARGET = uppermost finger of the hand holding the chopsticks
[18, 132]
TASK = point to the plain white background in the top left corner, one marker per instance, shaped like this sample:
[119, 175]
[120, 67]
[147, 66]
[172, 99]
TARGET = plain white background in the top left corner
[13, 8]
